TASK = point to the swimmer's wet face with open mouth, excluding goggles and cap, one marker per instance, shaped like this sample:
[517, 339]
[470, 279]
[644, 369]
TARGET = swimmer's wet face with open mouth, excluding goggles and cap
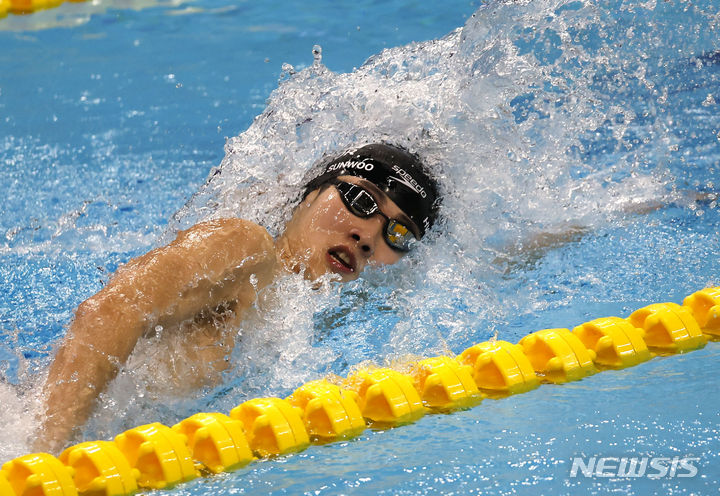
[327, 238]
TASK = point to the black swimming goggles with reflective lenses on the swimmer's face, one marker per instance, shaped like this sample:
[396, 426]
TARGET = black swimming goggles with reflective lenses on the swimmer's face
[360, 202]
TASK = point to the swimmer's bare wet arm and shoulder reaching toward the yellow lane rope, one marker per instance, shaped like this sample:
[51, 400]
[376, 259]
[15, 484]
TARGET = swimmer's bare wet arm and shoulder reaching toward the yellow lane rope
[208, 265]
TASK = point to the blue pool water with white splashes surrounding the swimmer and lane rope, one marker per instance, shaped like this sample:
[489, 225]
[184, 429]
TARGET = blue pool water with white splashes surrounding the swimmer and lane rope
[546, 117]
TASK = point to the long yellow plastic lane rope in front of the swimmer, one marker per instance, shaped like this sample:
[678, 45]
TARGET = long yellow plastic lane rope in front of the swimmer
[155, 456]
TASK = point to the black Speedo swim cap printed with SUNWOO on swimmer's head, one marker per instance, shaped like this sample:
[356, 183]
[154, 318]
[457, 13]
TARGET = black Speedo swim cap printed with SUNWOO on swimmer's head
[396, 172]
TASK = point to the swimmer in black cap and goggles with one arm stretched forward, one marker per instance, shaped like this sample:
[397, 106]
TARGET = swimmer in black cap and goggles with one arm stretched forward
[367, 206]
